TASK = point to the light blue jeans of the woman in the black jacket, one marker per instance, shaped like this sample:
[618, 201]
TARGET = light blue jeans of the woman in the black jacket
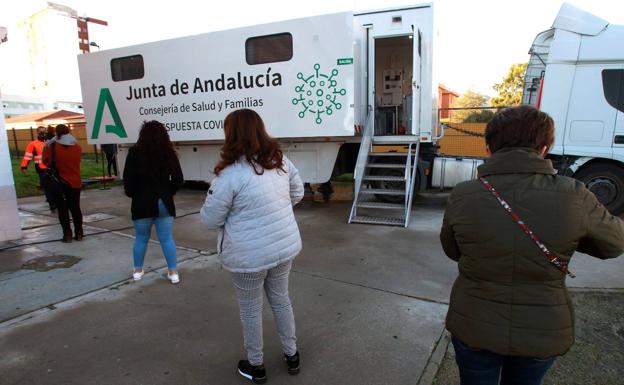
[164, 230]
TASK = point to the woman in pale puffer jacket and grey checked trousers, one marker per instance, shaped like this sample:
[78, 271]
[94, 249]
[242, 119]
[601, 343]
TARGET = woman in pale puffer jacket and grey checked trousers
[251, 202]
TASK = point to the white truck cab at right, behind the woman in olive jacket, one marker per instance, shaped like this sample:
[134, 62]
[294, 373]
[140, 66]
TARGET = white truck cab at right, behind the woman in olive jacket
[576, 75]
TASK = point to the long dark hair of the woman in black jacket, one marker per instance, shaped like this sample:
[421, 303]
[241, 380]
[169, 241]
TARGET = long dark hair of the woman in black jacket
[155, 153]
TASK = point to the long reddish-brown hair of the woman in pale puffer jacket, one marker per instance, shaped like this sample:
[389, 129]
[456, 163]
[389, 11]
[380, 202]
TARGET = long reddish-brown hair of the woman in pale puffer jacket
[245, 135]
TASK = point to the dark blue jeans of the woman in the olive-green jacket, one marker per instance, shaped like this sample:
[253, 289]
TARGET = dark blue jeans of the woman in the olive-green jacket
[481, 367]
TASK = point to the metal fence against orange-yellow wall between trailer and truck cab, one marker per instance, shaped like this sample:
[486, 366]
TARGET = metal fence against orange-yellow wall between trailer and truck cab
[464, 130]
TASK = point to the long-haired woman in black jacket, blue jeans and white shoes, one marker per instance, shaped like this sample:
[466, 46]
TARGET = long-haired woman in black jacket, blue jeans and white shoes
[152, 175]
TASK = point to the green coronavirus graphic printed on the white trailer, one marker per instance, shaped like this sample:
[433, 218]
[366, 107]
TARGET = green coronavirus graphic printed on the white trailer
[318, 93]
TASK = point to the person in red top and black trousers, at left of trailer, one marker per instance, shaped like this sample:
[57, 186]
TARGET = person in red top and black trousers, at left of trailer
[67, 154]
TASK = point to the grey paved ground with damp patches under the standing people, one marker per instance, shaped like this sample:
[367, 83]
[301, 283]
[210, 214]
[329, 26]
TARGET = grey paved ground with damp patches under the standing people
[369, 301]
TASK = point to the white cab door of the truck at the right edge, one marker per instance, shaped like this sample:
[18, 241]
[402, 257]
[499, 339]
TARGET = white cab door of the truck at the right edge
[590, 124]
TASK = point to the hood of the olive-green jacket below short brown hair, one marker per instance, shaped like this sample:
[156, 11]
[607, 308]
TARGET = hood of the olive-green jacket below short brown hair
[516, 160]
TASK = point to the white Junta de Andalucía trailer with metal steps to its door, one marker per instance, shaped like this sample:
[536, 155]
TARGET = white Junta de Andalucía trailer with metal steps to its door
[320, 83]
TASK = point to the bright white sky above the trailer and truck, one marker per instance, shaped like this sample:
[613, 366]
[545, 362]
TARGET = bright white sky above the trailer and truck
[478, 40]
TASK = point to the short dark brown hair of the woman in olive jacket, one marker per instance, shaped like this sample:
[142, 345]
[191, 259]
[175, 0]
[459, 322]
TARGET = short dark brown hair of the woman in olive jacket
[520, 126]
